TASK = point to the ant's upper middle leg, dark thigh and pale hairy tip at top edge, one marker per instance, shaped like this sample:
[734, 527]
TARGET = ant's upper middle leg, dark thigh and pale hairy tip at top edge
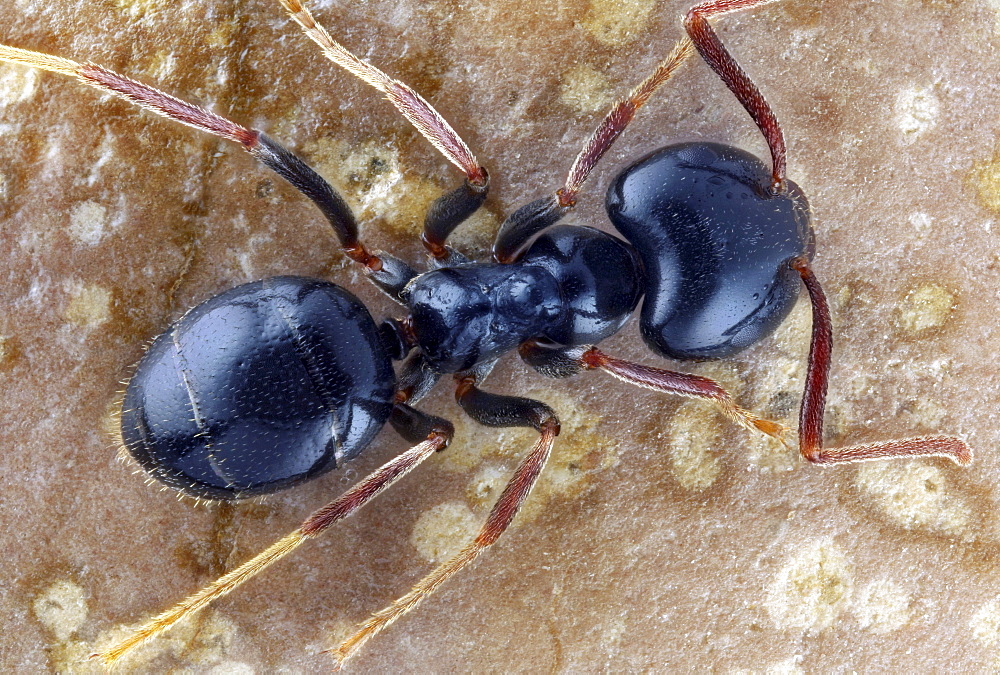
[448, 211]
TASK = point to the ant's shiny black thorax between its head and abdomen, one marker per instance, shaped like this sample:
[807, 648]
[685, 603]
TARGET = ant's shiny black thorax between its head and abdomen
[574, 286]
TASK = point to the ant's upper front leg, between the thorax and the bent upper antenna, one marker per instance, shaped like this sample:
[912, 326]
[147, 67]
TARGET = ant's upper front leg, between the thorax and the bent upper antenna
[530, 219]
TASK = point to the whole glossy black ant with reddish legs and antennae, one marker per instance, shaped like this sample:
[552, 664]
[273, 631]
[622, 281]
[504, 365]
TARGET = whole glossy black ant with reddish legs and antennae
[301, 379]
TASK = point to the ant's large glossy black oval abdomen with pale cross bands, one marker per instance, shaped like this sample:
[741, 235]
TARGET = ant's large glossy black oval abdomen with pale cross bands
[259, 388]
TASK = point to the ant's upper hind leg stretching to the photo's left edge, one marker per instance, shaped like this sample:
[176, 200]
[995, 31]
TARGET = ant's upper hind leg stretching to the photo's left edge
[266, 150]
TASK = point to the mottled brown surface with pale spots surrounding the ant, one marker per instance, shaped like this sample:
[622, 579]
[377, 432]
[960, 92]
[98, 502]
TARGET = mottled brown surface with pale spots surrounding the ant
[661, 537]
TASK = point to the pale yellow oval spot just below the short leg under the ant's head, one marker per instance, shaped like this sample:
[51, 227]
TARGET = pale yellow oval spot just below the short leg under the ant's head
[694, 433]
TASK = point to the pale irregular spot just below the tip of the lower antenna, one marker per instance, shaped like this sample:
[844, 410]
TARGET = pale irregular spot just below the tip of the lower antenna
[913, 495]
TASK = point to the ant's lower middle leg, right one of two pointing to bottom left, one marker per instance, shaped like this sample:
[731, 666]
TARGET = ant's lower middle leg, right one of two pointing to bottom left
[491, 410]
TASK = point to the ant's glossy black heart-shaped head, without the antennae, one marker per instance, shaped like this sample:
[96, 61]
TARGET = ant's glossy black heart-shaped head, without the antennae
[715, 242]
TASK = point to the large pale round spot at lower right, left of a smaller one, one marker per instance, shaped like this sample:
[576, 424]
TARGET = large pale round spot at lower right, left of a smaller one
[811, 589]
